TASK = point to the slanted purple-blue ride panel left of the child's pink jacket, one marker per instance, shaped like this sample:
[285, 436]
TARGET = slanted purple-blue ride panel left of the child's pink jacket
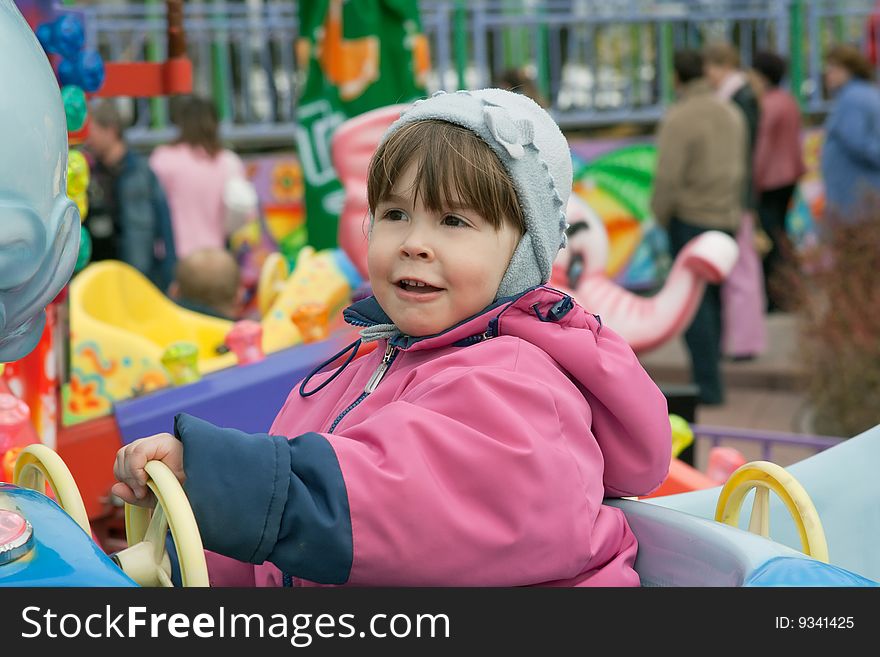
[245, 397]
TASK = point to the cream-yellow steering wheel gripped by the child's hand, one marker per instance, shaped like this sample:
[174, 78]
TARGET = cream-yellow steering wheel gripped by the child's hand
[146, 559]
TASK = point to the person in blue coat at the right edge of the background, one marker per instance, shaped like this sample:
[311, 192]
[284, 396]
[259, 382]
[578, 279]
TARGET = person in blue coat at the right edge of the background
[851, 151]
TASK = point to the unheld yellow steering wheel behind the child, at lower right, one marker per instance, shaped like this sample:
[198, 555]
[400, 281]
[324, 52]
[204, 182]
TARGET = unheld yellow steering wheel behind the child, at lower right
[764, 477]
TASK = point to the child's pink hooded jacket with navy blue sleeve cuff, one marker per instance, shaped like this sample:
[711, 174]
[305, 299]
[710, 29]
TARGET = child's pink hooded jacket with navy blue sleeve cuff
[480, 458]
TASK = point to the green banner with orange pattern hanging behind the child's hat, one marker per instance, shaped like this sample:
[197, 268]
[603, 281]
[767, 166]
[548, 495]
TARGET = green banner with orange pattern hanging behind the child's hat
[358, 55]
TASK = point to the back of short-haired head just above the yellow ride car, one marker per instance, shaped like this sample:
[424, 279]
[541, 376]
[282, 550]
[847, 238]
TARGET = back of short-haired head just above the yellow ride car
[208, 281]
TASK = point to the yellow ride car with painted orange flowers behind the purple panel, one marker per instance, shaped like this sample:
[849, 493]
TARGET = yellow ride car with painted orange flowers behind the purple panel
[121, 326]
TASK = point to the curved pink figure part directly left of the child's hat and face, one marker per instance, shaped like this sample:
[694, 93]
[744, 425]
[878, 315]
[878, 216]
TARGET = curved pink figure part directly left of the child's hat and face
[351, 149]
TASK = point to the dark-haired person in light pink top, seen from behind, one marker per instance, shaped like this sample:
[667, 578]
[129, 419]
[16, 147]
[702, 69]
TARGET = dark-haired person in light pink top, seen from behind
[194, 172]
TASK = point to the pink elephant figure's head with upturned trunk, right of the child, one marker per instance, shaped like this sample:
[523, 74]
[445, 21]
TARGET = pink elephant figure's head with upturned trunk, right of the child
[644, 322]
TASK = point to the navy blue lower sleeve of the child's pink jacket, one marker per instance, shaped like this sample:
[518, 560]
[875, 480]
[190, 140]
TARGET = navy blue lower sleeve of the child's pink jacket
[261, 498]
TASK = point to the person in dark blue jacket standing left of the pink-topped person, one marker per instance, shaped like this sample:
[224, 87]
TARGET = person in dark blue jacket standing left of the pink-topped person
[128, 216]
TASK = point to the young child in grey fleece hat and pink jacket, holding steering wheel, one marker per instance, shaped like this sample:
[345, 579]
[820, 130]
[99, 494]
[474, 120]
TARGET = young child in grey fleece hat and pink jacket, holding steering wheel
[475, 445]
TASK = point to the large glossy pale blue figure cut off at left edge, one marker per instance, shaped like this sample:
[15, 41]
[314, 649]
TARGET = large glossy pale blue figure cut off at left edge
[39, 224]
